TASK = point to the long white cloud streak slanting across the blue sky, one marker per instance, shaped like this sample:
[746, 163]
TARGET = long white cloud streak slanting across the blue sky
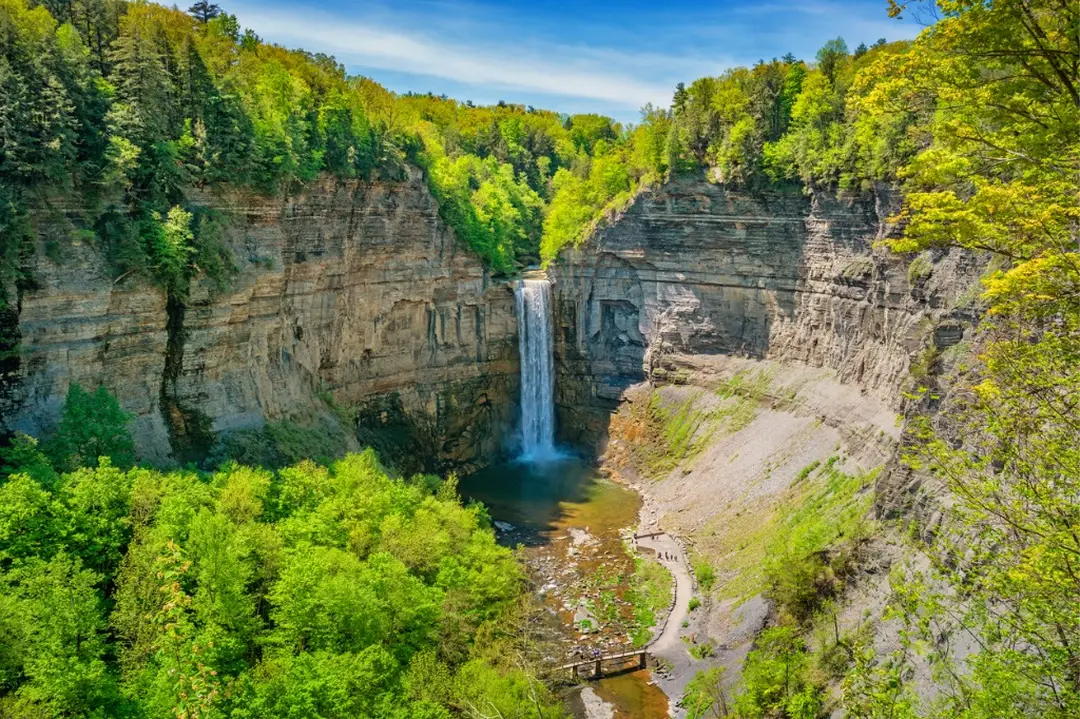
[561, 72]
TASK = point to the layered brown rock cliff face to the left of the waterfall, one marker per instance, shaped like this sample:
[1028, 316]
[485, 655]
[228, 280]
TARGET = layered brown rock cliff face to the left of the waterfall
[352, 291]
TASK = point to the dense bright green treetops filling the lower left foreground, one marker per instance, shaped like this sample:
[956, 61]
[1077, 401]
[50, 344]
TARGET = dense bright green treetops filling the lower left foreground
[331, 591]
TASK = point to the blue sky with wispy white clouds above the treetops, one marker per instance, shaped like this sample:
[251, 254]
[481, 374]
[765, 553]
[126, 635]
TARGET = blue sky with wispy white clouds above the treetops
[574, 57]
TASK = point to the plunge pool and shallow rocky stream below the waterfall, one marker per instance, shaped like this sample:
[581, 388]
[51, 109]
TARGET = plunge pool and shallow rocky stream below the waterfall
[571, 525]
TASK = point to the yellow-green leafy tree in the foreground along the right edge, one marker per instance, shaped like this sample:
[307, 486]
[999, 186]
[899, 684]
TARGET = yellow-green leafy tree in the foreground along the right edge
[1001, 175]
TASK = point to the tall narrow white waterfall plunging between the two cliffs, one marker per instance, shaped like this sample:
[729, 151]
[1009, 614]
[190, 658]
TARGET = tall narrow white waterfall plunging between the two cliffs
[538, 371]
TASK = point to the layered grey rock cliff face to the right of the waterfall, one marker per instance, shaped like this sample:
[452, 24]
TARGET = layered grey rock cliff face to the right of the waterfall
[693, 268]
